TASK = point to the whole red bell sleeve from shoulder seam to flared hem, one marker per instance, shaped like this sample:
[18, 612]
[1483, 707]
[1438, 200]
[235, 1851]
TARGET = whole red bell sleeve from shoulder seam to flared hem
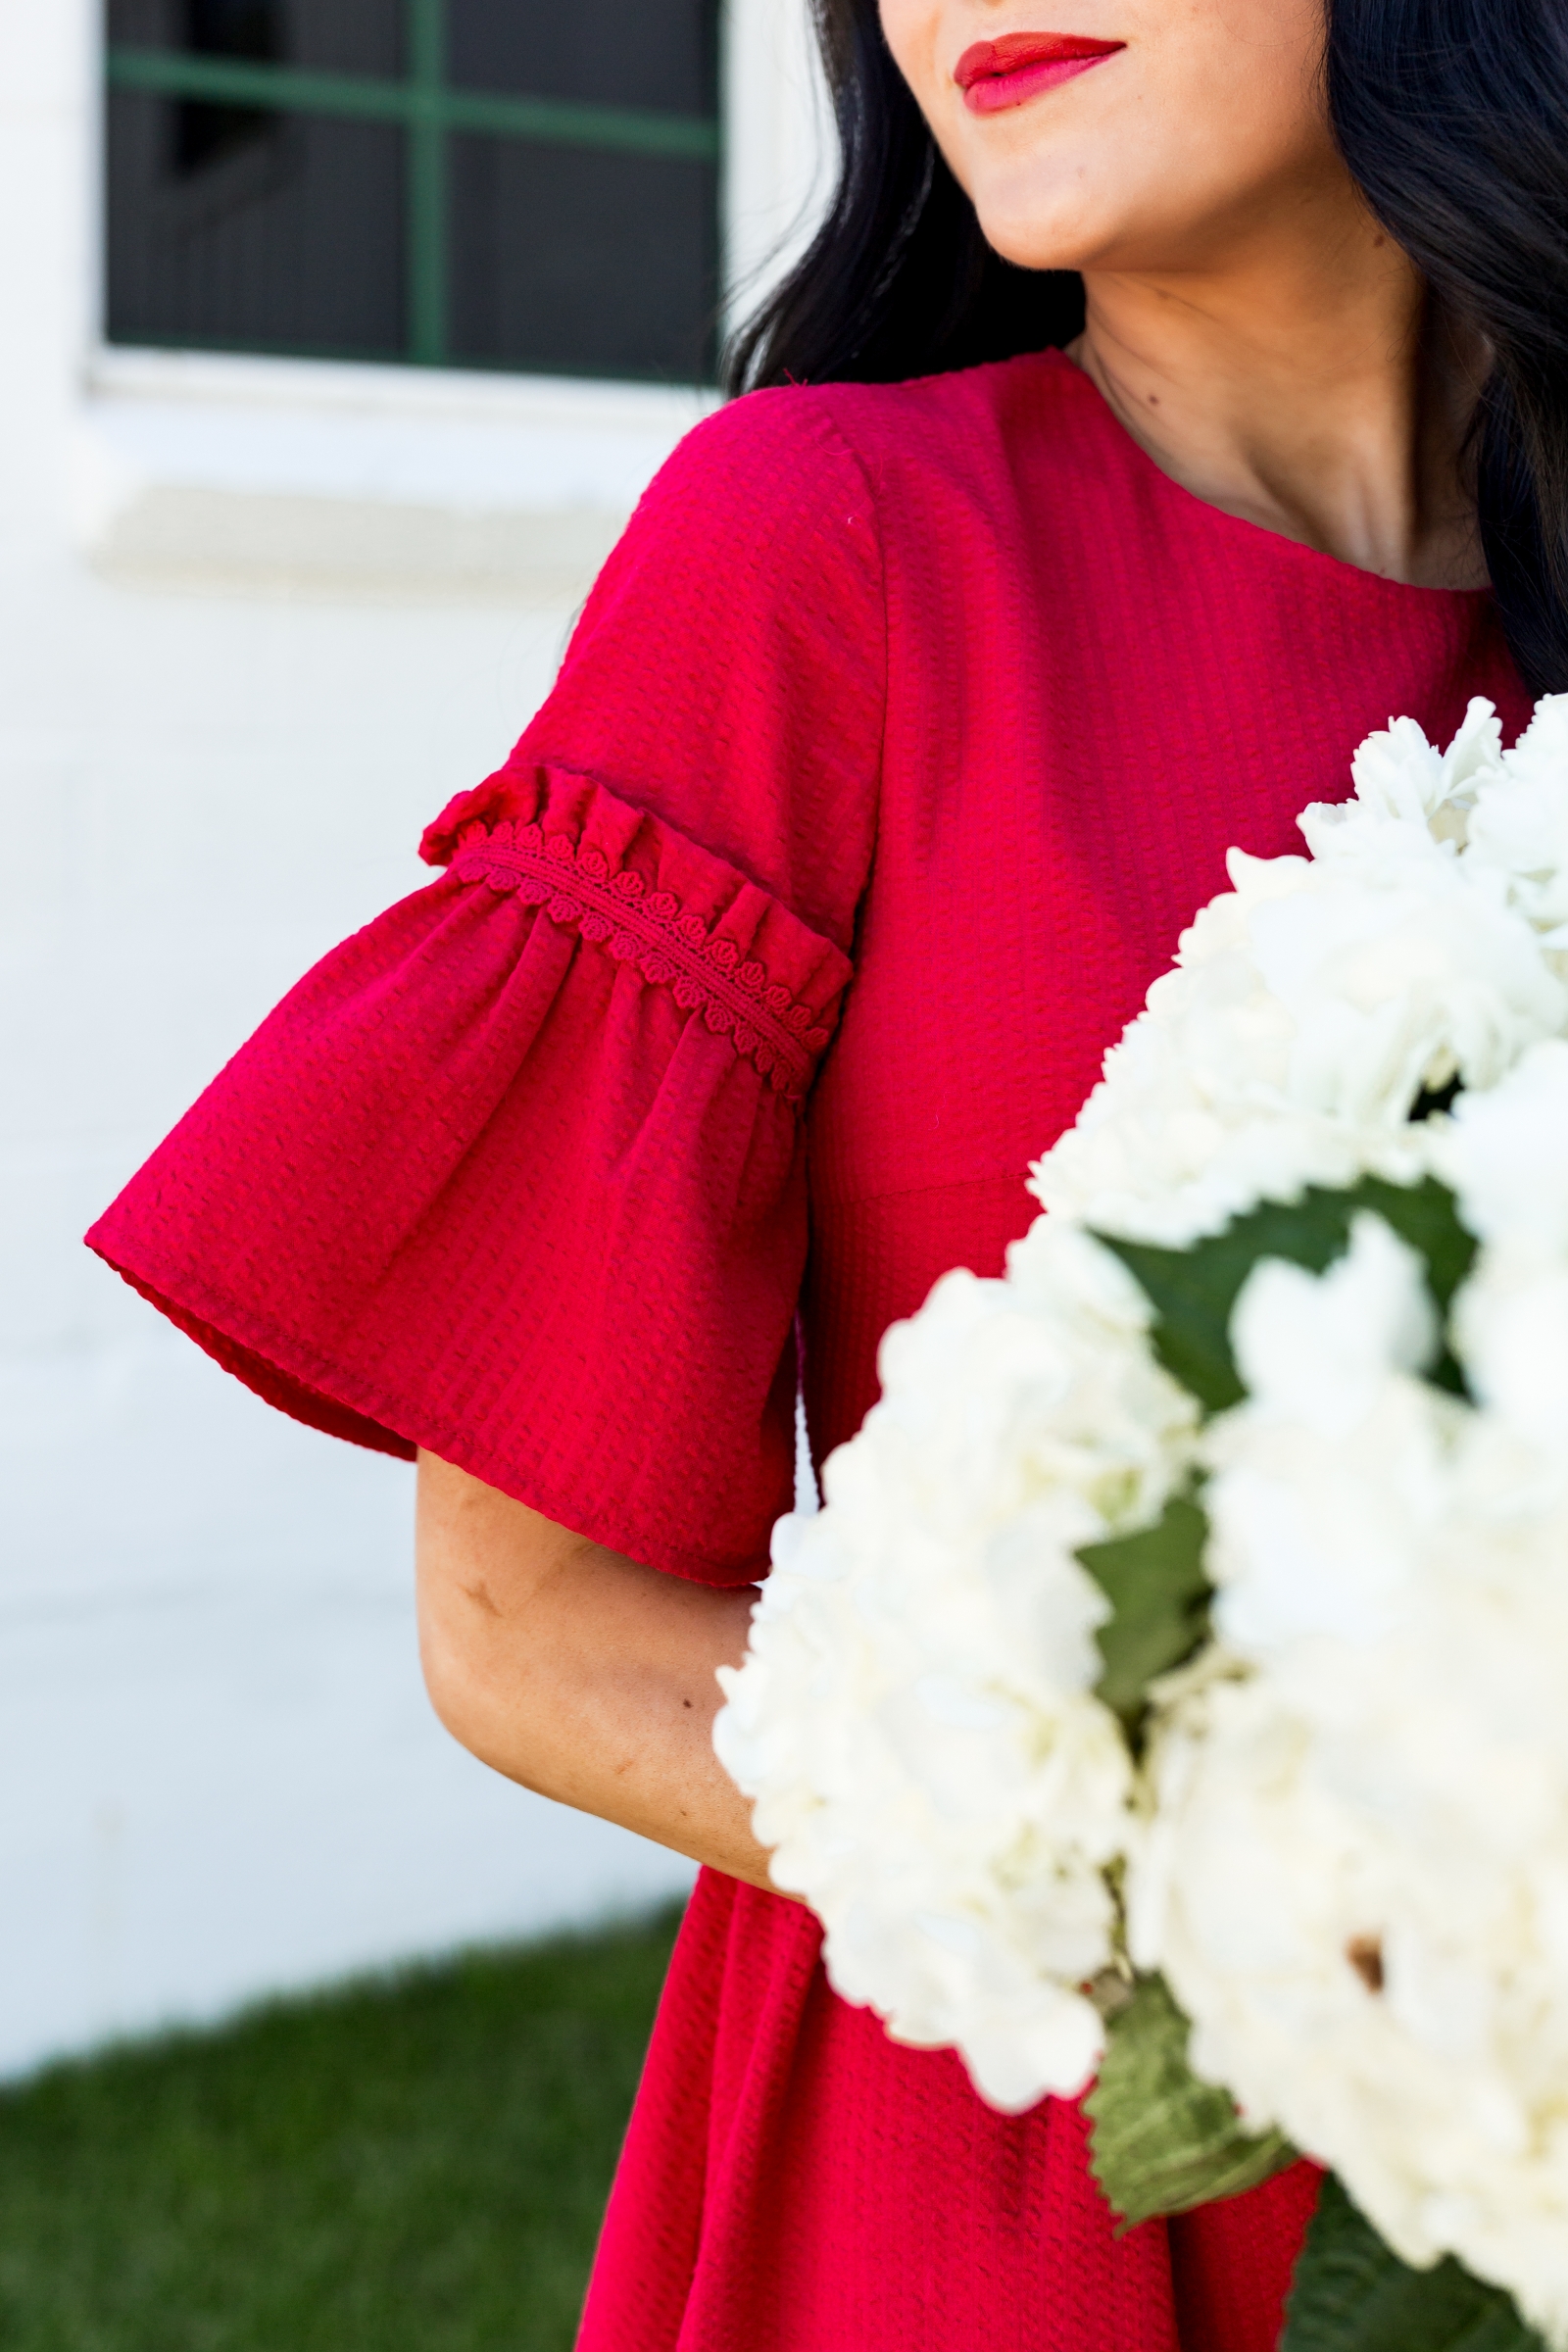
[518, 1172]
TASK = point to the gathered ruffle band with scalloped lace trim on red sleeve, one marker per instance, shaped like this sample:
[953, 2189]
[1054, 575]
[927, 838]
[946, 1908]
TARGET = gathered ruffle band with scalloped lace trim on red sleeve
[626, 883]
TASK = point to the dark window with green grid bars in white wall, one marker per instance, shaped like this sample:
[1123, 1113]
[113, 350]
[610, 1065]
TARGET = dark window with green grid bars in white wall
[523, 185]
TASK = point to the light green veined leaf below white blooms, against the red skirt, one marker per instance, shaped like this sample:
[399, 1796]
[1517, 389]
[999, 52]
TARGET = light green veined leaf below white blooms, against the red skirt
[1165, 2141]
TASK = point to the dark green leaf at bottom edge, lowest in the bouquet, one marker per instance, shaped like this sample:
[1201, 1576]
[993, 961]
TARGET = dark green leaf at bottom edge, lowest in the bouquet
[1353, 2294]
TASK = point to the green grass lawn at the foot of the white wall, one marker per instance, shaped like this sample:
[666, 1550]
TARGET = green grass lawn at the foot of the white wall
[410, 2165]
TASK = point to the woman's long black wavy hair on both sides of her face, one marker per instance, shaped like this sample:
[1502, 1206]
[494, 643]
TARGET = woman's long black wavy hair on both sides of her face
[1454, 121]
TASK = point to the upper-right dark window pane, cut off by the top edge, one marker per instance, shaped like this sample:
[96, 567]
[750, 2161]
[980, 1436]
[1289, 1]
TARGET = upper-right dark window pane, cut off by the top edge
[610, 53]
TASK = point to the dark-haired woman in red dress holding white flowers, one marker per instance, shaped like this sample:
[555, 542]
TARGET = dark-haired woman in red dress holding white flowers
[897, 744]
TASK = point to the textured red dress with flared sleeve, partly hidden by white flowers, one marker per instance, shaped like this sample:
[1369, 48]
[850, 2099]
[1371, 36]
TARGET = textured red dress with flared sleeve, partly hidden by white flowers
[897, 744]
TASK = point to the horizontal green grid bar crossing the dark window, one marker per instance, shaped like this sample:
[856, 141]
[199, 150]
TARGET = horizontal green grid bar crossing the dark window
[293, 91]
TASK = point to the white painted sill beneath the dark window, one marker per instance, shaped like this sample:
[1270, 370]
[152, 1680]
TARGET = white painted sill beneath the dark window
[368, 483]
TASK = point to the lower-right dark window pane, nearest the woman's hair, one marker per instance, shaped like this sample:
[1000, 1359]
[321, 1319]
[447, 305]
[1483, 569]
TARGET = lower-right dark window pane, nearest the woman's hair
[582, 262]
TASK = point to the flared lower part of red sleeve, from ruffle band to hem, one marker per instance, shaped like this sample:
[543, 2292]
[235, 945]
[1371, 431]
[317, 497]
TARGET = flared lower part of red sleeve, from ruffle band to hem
[518, 1177]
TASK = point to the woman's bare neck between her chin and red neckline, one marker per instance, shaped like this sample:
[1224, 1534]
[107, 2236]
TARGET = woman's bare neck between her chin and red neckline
[1304, 387]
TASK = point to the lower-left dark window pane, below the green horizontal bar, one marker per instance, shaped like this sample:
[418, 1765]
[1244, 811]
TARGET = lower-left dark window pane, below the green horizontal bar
[281, 239]
